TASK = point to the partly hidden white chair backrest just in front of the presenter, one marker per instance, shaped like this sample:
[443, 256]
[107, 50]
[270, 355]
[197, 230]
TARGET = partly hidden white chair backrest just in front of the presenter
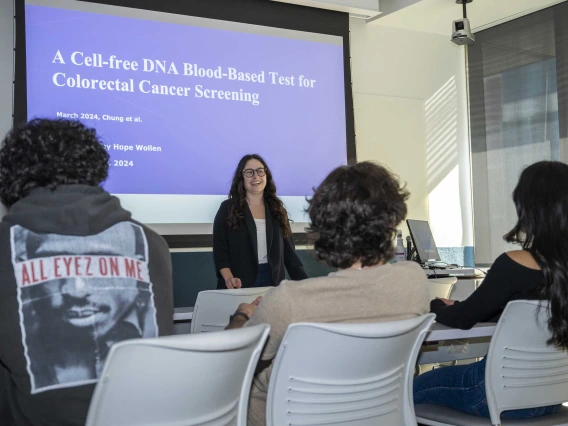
[214, 307]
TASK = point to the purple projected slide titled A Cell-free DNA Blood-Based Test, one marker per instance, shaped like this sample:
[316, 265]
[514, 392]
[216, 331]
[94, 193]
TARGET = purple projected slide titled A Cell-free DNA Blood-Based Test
[178, 105]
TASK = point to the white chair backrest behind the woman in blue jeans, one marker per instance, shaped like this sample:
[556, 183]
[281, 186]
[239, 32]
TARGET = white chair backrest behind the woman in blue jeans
[522, 370]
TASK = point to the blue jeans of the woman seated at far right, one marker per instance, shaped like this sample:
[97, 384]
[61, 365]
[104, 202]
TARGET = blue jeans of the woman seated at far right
[462, 388]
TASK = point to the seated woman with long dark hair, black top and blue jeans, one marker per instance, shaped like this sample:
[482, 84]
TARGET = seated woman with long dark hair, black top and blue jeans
[538, 271]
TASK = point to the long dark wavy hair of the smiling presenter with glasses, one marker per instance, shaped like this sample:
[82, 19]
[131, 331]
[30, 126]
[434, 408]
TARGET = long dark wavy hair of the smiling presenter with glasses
[238, 197]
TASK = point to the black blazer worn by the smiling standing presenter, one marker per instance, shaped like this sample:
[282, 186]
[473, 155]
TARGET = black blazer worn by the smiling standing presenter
[238, 249]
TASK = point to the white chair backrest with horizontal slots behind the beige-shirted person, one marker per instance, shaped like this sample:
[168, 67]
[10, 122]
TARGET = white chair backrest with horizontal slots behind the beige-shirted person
[356, 374]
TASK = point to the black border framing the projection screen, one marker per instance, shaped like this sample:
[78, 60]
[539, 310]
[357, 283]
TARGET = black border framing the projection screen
[254, 12]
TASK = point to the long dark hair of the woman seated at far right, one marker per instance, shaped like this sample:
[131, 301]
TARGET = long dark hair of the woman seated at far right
[541, 200]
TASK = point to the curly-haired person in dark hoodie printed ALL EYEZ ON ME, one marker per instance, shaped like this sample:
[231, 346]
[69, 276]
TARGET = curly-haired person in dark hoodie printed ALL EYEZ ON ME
[77, 274]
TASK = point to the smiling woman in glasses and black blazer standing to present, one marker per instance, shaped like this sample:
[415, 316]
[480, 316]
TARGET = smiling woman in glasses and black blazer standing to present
[252, 239]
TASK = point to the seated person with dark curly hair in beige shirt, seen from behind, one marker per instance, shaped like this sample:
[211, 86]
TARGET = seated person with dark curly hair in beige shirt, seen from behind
[354, 213]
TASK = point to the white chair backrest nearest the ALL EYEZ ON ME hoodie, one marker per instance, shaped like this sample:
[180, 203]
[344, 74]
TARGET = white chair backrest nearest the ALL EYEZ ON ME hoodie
[190, 379]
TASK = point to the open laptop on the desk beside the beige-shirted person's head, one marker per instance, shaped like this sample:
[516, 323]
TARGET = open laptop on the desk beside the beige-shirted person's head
[427, 252]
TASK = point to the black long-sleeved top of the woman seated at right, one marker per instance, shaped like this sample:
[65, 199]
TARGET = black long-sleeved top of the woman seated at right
[507, 280]
